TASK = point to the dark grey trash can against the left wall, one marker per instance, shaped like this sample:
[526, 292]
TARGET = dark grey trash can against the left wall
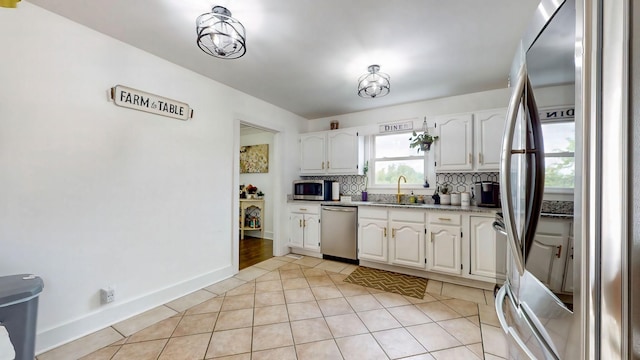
[19, 311]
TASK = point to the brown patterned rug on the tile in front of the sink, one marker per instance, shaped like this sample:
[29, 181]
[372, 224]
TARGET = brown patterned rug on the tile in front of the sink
[389, 281]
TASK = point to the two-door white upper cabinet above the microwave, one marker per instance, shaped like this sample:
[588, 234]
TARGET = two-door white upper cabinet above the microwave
[336, 152]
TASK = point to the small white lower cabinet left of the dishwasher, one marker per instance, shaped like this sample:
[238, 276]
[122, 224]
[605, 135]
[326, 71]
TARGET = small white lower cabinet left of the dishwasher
[304, 227]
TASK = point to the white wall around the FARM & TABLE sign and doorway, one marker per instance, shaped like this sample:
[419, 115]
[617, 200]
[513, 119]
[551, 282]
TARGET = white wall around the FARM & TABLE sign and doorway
[93, 195]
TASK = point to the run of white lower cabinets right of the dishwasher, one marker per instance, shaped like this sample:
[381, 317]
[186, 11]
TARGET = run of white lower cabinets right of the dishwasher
[444, 242]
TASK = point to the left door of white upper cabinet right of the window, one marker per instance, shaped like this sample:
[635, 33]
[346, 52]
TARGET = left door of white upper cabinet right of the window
[454, 150]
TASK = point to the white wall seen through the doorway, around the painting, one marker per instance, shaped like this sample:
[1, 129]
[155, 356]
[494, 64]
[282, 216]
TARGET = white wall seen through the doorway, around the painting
[264, 181]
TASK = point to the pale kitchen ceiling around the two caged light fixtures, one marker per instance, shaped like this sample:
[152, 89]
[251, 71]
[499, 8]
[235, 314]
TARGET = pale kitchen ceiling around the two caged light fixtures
[306, 55]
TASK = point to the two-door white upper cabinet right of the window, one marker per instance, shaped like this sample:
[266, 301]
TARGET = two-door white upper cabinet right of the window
[469, 141]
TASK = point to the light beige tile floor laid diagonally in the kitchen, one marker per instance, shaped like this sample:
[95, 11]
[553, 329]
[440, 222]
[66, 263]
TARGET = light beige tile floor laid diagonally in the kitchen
[287, 308]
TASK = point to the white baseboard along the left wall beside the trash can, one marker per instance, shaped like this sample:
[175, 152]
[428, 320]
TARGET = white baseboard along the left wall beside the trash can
[53, 337]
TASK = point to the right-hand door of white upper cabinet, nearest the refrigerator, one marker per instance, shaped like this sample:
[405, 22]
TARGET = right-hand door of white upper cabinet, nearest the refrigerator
[488, 129]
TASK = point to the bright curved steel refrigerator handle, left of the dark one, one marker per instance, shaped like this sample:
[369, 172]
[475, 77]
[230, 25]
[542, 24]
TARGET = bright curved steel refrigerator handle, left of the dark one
[505, 169]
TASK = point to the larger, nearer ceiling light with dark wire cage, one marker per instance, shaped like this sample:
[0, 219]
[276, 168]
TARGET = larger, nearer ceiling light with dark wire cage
[220, 35]
